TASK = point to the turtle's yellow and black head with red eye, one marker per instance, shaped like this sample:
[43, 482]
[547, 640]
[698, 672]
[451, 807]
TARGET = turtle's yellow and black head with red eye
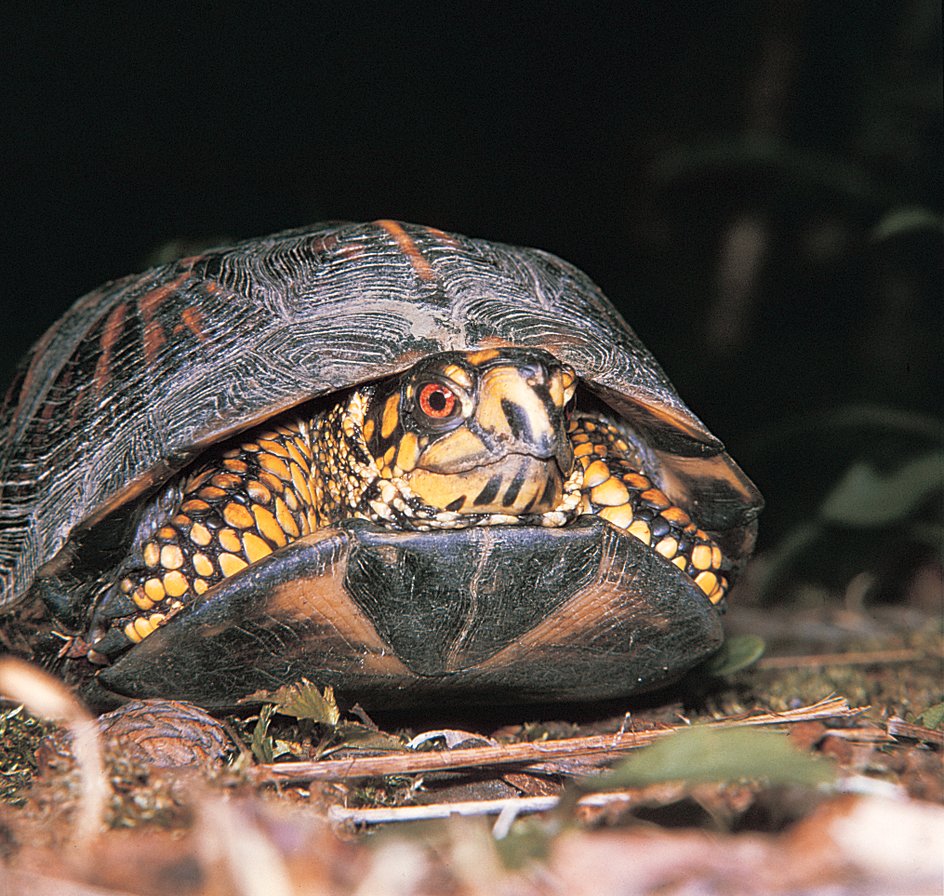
[477, 432]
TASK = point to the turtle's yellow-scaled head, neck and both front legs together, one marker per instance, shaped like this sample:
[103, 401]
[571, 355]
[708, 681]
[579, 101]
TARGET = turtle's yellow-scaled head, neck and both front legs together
[461, 440]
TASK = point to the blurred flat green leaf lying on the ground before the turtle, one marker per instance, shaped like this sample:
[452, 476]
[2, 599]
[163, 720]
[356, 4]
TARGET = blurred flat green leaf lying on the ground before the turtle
[702, 754]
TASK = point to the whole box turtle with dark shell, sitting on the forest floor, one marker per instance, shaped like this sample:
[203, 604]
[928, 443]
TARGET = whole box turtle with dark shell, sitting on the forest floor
[413, 466]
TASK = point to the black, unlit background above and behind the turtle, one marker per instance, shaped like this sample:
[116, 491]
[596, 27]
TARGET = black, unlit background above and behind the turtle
[757, 185]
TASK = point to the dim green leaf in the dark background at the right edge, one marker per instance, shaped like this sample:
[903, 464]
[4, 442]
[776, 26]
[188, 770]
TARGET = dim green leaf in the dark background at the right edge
[865, 498]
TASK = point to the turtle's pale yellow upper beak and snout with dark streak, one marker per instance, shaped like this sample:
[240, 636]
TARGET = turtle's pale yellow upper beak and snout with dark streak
[521, 410]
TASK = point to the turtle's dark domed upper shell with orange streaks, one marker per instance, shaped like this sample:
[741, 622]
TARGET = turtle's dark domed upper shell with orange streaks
[144, 374]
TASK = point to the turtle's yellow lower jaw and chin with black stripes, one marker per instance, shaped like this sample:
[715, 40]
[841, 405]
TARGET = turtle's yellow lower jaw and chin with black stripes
[515, 485]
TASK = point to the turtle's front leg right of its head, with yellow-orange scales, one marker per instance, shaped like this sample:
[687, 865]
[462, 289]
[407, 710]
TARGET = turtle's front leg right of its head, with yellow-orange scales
[616, 490]
